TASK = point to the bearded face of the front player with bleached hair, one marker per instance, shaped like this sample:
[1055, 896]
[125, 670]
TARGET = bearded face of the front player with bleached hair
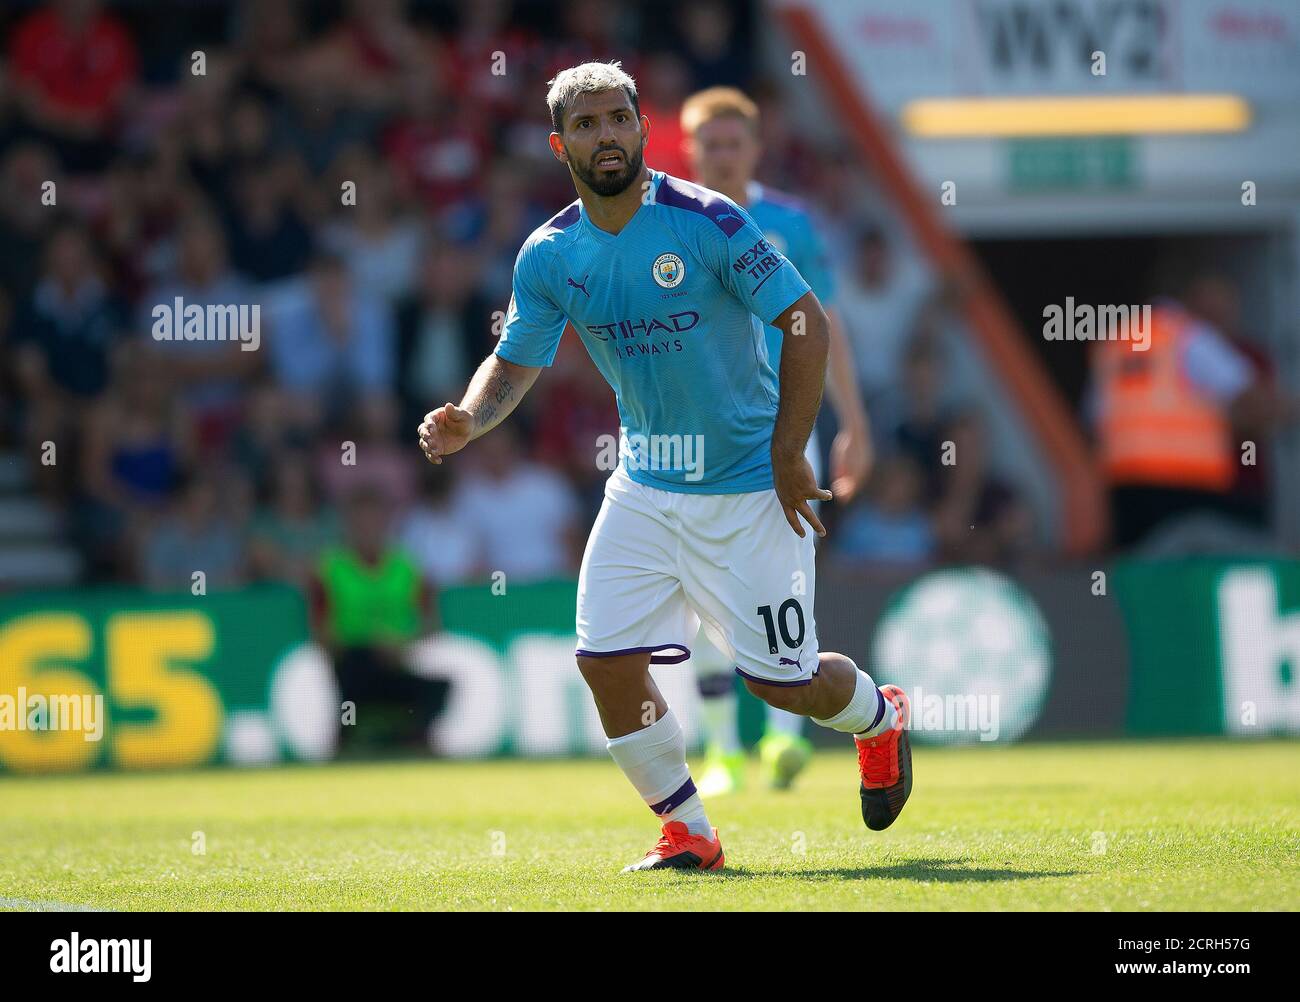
[604, 142]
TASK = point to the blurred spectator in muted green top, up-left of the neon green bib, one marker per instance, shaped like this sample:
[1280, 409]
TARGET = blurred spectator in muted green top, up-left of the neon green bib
[293, 527]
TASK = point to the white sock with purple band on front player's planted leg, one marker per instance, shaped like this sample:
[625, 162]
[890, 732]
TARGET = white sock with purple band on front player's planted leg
[655, 760]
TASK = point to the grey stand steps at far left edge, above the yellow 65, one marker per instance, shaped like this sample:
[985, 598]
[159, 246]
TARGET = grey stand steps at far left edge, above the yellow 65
[33, 549]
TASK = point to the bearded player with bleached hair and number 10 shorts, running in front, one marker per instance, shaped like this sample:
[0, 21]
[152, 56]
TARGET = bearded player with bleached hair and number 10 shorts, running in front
[669, 287]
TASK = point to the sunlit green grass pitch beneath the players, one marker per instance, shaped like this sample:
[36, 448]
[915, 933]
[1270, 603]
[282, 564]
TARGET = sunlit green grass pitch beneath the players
[1128, 826]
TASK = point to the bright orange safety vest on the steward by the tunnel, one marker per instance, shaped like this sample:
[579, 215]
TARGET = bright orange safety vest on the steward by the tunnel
[1156, 427]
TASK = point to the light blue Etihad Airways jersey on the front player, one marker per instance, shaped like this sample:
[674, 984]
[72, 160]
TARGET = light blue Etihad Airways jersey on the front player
[673, 311]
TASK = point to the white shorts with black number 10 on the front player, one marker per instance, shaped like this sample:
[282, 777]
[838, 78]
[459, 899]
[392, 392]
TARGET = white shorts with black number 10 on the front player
[661, 565]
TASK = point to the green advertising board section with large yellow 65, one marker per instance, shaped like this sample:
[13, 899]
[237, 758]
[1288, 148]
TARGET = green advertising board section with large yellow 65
[138, 680]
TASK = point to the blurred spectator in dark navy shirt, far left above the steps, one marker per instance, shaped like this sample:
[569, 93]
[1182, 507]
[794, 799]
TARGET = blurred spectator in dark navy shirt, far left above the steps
[66, 336]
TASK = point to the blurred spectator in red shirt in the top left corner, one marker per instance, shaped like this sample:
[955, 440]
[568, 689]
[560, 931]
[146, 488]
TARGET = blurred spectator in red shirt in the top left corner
[73, 67]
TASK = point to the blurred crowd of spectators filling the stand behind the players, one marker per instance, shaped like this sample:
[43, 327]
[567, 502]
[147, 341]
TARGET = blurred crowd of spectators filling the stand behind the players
[366, 173]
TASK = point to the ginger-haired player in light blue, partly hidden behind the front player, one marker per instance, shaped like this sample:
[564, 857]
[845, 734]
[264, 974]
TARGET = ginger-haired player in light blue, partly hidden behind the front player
[721, 131]
